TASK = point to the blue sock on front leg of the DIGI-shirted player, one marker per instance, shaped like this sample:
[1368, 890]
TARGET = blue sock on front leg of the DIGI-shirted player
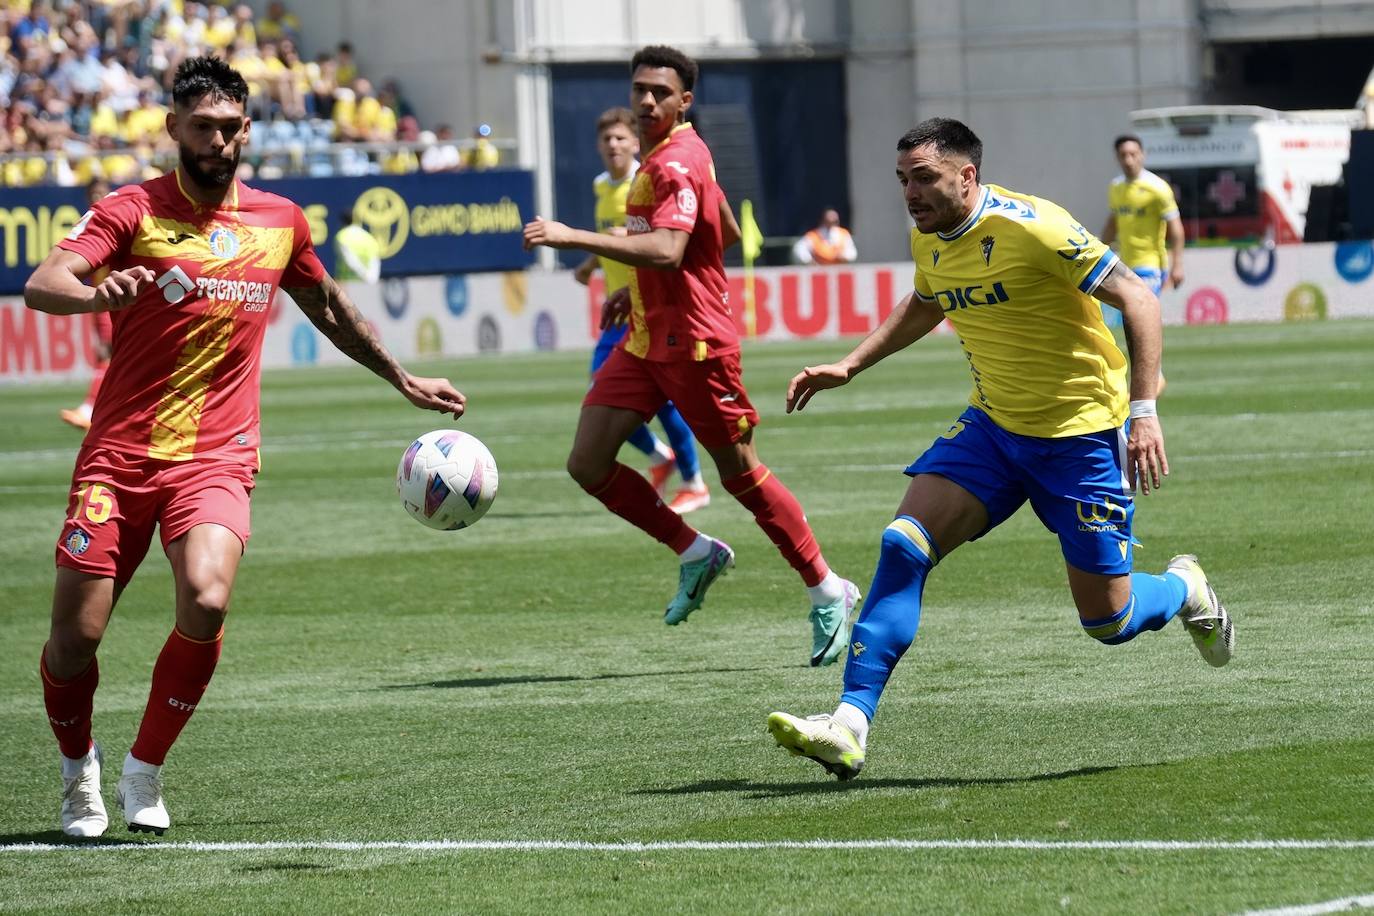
[891, 612]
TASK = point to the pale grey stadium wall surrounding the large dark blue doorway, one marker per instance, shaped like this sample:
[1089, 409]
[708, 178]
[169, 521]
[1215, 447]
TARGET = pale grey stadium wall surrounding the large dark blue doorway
[1046, 90]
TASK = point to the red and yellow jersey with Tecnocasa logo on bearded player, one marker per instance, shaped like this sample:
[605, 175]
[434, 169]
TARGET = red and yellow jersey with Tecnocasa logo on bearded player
[183, 378]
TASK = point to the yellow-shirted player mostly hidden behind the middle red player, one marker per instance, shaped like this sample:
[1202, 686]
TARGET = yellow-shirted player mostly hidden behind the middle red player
[618, 142]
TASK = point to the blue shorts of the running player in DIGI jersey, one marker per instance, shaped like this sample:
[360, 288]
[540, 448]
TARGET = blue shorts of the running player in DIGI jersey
[1077, 485]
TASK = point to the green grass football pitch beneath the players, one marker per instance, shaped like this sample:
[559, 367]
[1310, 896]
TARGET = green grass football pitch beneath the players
[515, 682]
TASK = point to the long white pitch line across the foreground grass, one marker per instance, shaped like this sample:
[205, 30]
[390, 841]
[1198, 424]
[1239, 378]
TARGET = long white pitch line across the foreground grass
[675, 847]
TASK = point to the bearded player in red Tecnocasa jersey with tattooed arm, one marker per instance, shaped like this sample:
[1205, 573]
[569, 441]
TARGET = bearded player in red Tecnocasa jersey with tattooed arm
[196, 262]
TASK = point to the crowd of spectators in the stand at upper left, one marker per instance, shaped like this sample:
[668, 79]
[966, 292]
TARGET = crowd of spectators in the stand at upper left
[86, 87]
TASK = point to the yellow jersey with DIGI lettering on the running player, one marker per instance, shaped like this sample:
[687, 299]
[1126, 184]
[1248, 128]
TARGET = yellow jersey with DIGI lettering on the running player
[1016, 281]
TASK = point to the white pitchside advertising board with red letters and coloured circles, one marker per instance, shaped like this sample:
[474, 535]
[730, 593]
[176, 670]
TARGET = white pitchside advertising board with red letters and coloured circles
[527, 312]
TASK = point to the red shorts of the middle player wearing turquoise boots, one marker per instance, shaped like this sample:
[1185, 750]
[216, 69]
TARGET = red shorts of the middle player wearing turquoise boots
[710, 393]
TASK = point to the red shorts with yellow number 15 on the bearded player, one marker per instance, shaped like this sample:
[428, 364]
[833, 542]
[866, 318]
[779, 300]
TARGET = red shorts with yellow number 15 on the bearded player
[119, 499]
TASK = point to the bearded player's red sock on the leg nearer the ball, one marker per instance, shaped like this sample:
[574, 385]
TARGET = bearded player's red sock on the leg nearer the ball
[179, 680]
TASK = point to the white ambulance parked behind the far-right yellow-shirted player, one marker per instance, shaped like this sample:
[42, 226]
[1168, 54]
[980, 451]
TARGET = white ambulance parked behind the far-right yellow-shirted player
[1244, 172]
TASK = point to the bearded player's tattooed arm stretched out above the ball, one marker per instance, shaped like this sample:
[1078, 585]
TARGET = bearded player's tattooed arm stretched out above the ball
[329, 310]
